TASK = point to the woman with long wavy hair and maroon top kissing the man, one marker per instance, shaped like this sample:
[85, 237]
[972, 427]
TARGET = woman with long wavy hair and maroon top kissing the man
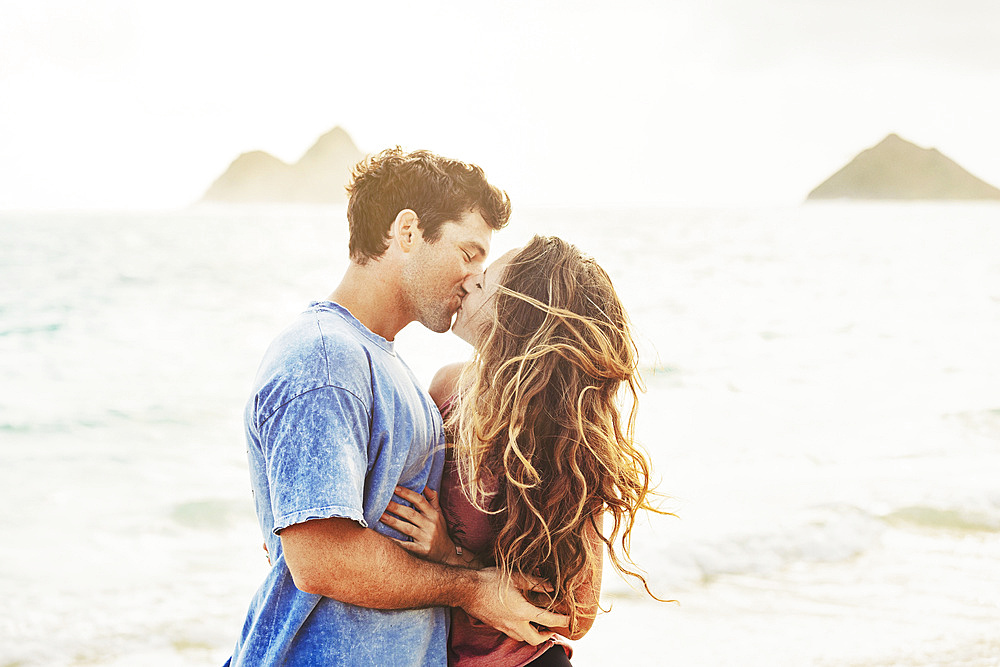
[540, 454]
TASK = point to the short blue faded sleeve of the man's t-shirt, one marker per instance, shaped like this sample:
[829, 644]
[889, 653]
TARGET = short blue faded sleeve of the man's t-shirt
[315, 449]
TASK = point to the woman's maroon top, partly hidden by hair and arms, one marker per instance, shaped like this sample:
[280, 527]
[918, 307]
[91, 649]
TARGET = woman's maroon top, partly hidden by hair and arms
[472, 643]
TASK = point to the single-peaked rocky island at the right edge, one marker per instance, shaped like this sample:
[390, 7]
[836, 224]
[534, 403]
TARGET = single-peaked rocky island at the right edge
[897, 169]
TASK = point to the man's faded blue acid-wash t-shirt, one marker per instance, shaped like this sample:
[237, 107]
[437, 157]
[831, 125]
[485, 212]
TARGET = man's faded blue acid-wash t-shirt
[335, 422]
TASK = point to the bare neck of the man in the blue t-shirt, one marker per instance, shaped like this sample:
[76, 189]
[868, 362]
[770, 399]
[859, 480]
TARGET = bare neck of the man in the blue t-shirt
[372, 294]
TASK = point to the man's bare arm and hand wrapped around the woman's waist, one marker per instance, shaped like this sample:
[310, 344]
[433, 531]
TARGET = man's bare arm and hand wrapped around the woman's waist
[340, 559]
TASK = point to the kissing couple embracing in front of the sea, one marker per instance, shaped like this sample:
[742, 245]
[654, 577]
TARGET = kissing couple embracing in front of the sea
[467, 524]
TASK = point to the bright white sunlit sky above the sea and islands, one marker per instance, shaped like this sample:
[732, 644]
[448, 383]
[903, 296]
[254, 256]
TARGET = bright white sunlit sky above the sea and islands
[121, 104]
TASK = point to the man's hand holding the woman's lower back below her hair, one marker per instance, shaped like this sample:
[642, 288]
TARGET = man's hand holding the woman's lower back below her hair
[502, 605]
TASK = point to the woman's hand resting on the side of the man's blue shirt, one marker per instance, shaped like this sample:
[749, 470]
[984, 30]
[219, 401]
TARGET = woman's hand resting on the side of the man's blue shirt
[423, 524]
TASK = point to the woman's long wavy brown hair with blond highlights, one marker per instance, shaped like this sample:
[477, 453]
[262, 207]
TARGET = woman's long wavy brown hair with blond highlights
[540, 439]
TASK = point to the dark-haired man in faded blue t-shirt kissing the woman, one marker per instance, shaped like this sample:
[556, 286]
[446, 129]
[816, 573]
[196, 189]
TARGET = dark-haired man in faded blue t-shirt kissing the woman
[337, 420]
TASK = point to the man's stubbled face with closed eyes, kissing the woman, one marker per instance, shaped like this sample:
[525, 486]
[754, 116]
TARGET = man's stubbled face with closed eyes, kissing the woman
[433, 278]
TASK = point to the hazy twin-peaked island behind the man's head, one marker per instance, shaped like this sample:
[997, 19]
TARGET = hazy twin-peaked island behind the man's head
[318, 177]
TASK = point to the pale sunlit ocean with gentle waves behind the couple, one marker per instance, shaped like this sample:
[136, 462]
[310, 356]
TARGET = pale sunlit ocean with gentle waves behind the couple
[822, 412]
